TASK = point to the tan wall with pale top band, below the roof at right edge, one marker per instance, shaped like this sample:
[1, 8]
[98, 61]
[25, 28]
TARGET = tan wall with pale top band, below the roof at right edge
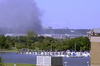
[95, 50]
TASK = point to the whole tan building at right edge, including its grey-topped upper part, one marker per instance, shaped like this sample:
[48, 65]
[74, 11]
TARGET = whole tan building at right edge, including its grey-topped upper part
[94, 36]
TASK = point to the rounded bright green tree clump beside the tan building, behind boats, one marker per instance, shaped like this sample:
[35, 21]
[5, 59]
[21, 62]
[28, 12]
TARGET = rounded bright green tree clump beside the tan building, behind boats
[82, 42]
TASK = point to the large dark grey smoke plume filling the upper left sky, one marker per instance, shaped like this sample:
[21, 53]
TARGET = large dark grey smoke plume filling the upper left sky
[20, 16]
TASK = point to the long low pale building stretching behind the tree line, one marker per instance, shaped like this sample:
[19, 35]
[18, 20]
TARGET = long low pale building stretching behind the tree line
[59, 36]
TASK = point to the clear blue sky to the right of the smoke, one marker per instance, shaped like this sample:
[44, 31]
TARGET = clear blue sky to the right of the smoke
[74, 14]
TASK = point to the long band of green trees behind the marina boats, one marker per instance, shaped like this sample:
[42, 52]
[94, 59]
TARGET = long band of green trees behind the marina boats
[33, 41]
